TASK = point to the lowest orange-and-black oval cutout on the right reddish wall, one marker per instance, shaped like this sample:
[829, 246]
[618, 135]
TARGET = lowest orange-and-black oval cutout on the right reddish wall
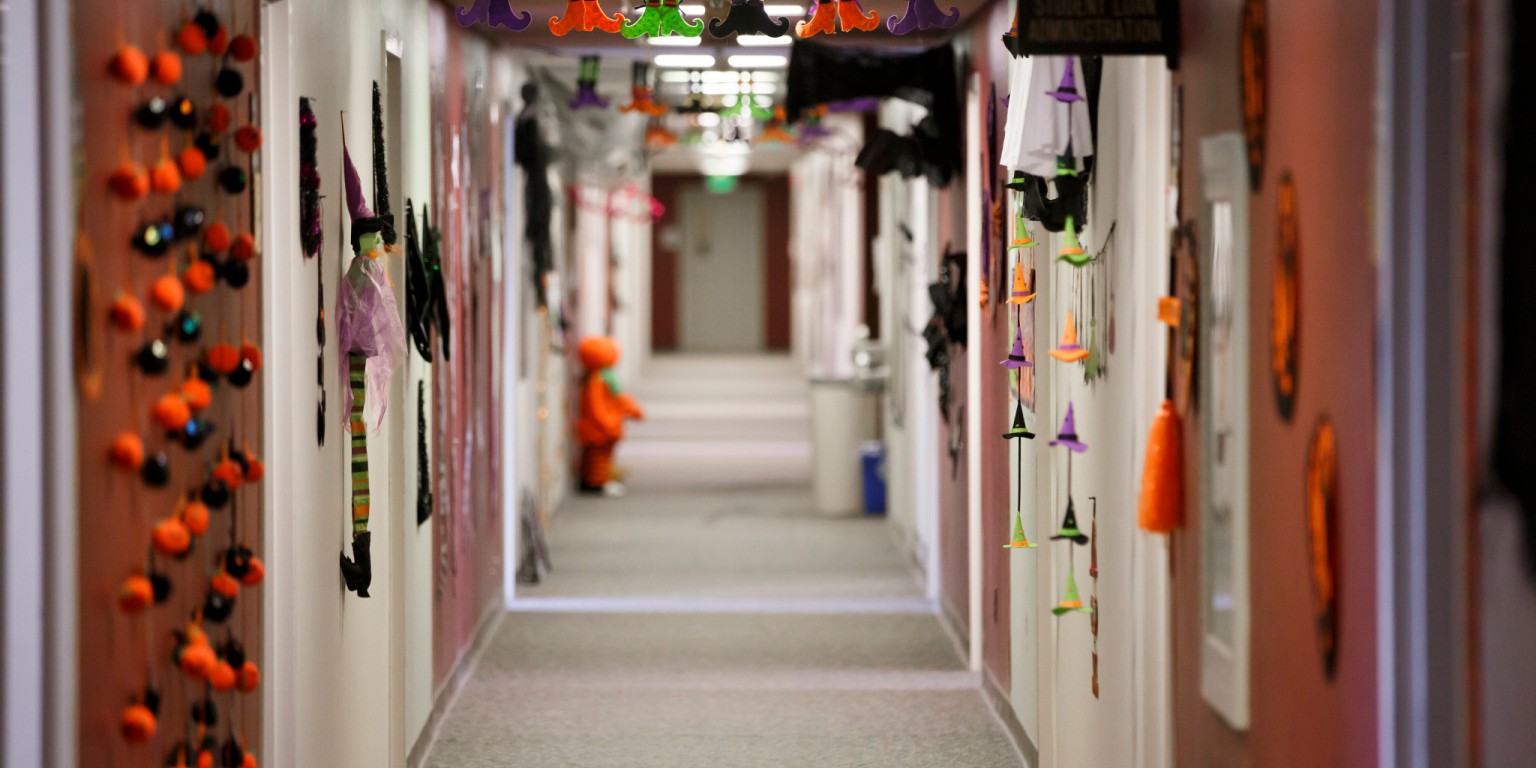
[1323, 471]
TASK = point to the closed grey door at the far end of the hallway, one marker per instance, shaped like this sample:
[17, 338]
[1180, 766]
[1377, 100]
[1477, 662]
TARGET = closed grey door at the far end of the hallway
[721, 277]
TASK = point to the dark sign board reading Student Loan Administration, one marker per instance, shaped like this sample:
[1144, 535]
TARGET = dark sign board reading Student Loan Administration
[1099, 28]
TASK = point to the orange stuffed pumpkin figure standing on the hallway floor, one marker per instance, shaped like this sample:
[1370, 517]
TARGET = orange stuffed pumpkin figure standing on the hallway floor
[603, 414]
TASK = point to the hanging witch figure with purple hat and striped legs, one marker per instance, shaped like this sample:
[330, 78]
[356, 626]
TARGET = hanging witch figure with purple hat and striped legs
[371, 343]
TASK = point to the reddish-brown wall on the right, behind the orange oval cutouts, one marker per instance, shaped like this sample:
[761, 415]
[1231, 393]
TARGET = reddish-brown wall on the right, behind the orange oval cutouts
[1322, 78]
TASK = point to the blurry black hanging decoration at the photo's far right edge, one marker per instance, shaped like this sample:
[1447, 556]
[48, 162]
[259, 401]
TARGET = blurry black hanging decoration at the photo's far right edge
[1515, 432]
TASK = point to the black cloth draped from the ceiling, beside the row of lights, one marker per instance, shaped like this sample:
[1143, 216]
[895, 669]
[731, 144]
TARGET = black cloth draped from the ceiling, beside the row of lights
[823, 74]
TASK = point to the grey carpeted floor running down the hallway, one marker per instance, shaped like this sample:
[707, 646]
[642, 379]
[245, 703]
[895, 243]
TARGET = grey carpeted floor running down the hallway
[712, 620]
